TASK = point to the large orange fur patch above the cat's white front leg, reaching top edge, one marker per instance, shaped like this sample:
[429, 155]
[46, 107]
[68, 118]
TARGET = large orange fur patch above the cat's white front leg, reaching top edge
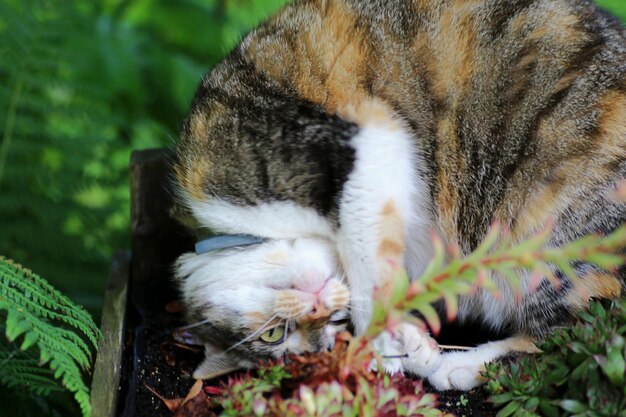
[326, 63]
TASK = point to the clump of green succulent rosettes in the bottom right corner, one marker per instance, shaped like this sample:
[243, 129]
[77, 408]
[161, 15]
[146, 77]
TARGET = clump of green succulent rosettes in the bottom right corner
[580, 372]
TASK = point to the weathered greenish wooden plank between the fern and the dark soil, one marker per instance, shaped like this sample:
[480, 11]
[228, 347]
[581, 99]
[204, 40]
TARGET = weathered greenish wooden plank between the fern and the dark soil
[106, 375]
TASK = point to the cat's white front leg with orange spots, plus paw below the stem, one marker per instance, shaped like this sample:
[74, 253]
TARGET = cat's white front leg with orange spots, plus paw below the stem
[380, 205]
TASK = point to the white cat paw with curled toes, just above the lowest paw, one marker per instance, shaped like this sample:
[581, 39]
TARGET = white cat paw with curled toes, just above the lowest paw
[422, 351]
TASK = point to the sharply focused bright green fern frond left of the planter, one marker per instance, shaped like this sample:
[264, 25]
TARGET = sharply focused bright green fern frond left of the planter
[39, 315]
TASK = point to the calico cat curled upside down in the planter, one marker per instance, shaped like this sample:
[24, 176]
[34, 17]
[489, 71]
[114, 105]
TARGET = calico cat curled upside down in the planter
[341, 133]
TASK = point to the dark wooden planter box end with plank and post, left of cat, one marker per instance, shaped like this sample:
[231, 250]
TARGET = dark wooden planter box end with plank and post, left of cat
[134, 315]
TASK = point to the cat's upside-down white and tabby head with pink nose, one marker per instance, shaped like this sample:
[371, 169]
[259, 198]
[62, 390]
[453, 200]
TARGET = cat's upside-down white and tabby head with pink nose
[264, 301]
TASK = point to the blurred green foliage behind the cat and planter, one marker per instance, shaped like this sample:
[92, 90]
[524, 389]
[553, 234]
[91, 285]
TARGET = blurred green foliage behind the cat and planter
[82, 83]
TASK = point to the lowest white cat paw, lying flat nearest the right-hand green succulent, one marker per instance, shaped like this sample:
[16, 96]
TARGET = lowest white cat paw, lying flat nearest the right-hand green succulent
[453, 375]
